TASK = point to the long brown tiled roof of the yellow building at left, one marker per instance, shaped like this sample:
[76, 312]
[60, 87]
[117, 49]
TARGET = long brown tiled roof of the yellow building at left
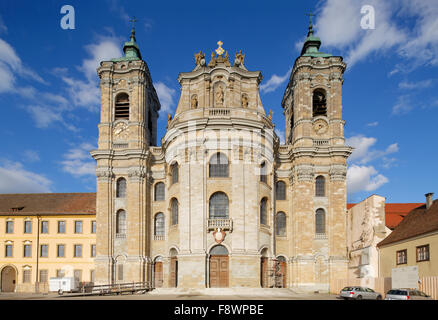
[47, 203]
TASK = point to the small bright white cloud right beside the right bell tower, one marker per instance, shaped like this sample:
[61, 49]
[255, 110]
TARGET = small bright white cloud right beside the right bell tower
[364, 178]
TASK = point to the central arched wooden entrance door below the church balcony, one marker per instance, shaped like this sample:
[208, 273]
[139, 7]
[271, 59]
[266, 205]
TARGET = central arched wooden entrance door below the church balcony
[219, 269]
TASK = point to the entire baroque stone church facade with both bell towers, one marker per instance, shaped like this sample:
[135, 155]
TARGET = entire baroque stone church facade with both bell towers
[221, 202]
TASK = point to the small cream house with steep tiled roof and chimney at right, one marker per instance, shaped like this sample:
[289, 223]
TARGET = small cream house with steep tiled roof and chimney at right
[414, 242]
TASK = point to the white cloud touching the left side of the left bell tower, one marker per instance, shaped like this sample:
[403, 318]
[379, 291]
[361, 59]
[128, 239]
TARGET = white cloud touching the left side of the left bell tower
[78, 161]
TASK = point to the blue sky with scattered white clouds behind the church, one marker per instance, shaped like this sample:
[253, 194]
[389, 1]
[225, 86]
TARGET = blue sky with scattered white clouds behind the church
[49, 95]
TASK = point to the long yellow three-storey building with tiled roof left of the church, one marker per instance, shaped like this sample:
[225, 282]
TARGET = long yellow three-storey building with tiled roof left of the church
[44, 236]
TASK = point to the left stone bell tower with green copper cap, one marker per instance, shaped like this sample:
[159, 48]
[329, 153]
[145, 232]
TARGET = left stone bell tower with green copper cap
[127, 128]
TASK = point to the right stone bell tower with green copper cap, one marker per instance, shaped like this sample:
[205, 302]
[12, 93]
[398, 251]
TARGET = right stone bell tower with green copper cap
[314, 128]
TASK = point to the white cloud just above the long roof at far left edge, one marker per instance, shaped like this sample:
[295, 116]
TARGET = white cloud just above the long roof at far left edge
[15, 179]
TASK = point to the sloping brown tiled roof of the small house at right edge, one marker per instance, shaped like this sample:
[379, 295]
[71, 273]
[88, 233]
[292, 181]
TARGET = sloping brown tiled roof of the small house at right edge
[419, 221]
